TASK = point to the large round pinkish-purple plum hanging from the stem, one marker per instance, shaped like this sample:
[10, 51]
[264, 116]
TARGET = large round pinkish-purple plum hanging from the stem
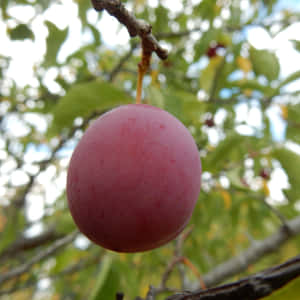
[134, 179]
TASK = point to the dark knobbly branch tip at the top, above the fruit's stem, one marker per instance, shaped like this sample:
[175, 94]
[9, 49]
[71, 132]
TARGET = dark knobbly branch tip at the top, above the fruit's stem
[134, 26]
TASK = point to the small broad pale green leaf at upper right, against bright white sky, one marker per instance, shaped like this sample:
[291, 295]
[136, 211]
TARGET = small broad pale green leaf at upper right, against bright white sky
[265, 63]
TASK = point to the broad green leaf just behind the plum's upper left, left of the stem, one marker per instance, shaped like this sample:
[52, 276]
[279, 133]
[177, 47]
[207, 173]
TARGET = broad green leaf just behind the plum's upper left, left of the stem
[83, 99]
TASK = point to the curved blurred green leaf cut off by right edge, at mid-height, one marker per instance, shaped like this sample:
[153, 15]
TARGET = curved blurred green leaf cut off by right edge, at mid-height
[290, 162]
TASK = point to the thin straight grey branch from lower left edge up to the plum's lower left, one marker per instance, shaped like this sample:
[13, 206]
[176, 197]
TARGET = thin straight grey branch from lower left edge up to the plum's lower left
[37, 258]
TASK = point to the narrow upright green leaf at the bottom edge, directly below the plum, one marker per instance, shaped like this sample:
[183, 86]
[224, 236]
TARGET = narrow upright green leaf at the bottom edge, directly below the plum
[107, 282]
